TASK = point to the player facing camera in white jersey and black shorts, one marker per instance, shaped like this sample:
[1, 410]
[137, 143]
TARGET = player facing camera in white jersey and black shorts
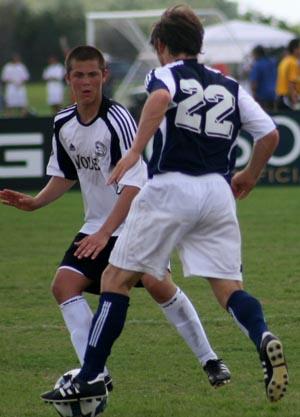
[89, 138]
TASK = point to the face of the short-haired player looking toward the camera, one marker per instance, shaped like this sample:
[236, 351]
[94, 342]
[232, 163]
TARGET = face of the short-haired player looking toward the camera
[86, 80]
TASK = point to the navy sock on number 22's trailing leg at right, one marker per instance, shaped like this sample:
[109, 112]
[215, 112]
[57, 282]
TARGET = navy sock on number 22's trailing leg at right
[248, 313]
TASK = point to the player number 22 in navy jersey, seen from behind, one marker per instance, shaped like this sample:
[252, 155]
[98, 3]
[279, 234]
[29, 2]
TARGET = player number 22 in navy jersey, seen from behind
[195, 115]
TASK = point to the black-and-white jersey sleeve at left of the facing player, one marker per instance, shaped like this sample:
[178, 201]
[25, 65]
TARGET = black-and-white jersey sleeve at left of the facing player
[60, 164]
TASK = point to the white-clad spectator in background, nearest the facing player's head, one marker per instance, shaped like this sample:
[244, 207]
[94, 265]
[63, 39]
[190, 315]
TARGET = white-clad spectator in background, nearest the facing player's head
[54, 76]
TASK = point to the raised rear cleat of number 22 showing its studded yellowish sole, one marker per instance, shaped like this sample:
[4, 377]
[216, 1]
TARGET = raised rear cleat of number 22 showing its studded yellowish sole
[274, 366]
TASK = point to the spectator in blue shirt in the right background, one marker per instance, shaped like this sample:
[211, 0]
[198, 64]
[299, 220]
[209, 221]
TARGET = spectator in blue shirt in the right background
[262, 78]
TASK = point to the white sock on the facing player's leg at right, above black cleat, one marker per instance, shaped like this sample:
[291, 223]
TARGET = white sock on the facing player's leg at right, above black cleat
[182, 314]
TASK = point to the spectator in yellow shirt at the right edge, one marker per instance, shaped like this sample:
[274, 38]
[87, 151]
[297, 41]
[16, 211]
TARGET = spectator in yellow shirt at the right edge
[288, 78]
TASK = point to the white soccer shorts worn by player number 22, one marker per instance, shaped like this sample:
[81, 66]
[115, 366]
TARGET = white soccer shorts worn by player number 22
[196, 215]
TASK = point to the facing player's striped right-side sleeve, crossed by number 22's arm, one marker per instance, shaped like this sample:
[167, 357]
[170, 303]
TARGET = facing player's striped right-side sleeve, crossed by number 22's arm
[125, 129]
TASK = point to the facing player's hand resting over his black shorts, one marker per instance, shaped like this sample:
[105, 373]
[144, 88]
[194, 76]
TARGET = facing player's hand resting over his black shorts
[90, 246]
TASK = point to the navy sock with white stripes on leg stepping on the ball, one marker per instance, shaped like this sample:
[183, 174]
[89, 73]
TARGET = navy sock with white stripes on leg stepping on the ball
[106, 327]
